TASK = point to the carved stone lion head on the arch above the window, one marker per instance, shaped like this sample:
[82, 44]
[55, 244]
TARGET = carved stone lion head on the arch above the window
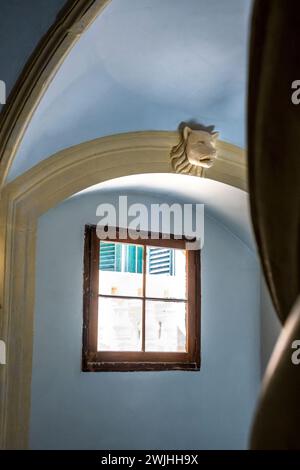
[195, 151]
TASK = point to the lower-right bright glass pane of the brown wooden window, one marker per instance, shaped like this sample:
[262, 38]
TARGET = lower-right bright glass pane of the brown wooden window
[165, 326]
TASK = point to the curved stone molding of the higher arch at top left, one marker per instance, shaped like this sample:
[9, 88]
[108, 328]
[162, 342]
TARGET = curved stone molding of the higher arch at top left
[38, 73]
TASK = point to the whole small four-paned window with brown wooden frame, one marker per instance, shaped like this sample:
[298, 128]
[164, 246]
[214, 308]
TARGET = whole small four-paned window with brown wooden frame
[141, 304]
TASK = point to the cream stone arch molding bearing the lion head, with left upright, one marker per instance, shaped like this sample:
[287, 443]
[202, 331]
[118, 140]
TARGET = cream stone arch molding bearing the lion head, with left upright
[33, 193]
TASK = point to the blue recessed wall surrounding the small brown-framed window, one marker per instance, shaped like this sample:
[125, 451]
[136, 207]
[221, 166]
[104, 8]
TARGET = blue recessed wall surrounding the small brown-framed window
[163, 410]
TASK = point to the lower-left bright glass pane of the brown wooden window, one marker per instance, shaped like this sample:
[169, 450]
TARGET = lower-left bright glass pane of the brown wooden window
[119, 324]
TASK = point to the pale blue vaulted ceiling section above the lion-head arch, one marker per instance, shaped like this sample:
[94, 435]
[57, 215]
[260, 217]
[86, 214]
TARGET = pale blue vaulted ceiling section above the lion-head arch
[146, 64]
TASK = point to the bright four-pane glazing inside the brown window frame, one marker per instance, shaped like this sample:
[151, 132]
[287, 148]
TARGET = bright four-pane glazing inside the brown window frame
[122, 281]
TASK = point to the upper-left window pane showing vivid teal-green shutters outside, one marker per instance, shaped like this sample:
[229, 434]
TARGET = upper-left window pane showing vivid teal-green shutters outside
[120, 269]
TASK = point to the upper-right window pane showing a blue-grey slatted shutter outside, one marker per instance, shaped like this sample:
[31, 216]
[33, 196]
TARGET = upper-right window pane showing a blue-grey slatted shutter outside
[166, 273]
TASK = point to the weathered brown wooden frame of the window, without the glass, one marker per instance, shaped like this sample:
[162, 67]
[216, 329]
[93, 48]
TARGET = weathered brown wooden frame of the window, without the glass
[93, 360]
